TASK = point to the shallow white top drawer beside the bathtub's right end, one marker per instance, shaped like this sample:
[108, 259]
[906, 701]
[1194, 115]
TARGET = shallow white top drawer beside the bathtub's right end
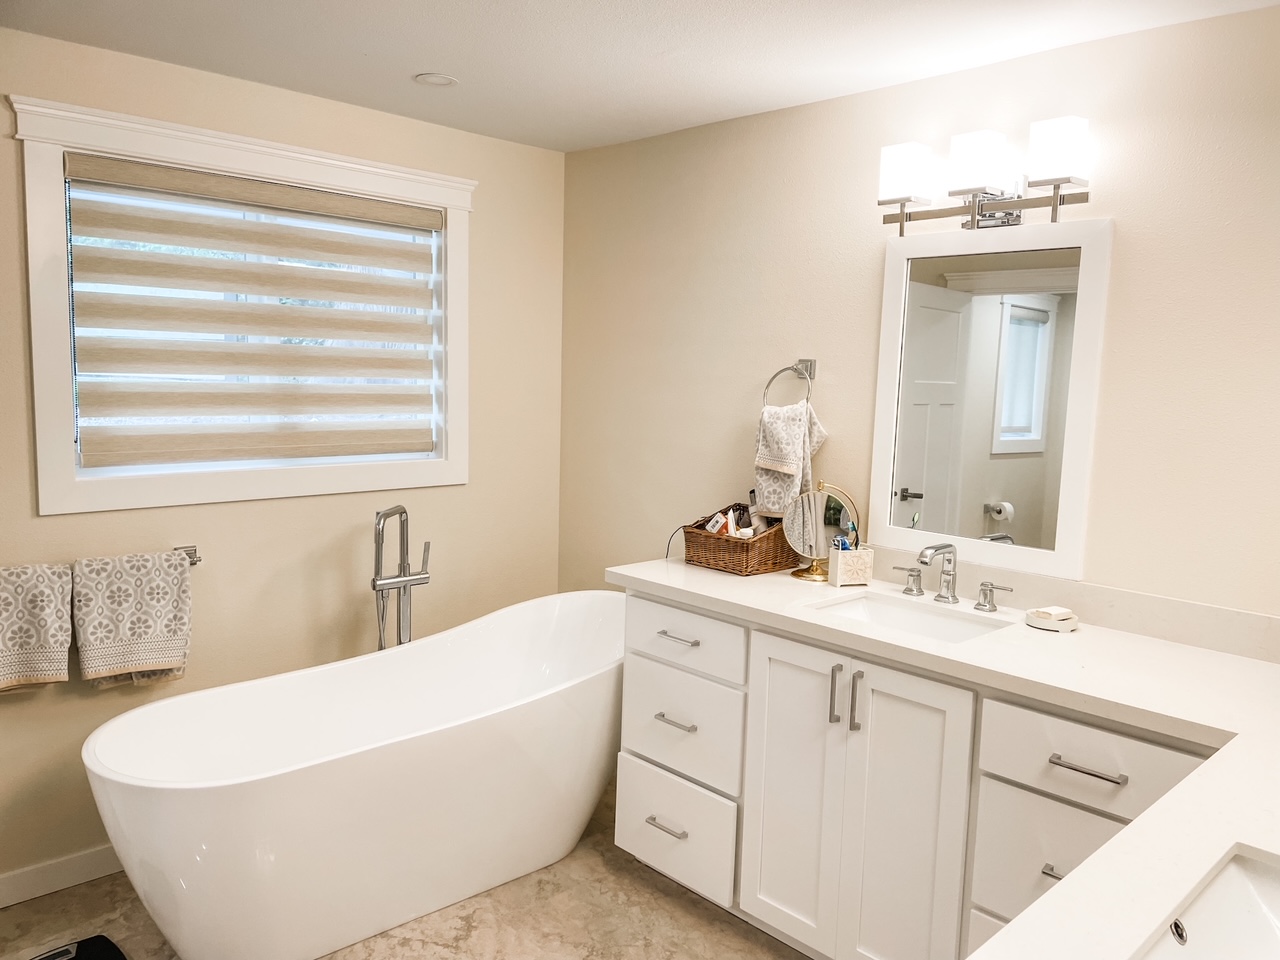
[689, 639]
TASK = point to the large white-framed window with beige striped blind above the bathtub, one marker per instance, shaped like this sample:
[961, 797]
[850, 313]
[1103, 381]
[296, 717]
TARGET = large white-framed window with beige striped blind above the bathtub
[237, 322]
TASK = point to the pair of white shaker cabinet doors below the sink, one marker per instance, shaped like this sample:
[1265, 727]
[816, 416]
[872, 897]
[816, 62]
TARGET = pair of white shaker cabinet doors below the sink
[856, 804]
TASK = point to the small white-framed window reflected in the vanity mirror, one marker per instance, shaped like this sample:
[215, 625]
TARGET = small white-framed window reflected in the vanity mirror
[1023, 376]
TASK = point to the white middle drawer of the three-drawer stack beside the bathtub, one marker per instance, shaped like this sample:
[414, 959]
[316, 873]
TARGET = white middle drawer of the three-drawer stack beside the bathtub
[712, 752]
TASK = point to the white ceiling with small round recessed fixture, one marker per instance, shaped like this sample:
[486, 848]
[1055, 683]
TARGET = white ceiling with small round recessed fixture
[579, 74]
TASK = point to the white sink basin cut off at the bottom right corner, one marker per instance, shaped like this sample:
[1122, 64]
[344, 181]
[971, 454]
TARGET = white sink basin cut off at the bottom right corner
[1237, 917]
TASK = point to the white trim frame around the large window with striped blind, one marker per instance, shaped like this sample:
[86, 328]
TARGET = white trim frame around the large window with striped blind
[49, 130]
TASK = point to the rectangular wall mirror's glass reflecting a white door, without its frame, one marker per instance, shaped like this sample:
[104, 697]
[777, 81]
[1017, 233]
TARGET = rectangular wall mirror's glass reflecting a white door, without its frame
[982, 397]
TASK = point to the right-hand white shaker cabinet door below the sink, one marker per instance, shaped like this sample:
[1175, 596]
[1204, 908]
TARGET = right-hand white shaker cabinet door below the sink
[906, 815]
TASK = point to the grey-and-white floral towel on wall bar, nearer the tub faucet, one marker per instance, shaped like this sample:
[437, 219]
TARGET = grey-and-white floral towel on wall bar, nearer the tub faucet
[132, 618]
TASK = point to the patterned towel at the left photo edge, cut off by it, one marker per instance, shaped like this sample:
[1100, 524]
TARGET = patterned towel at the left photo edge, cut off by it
[35, 624]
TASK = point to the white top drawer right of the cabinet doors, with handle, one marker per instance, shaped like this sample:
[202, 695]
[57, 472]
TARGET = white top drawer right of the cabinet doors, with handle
[1017, 744]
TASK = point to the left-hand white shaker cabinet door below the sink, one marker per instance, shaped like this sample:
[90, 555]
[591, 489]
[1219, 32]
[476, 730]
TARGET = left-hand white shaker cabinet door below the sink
[794, 790]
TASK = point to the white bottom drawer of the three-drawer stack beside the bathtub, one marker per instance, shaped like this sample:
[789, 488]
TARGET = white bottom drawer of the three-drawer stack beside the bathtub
[676, 828]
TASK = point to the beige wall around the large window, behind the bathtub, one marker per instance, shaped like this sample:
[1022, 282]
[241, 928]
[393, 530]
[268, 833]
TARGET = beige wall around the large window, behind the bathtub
[286, 583]
